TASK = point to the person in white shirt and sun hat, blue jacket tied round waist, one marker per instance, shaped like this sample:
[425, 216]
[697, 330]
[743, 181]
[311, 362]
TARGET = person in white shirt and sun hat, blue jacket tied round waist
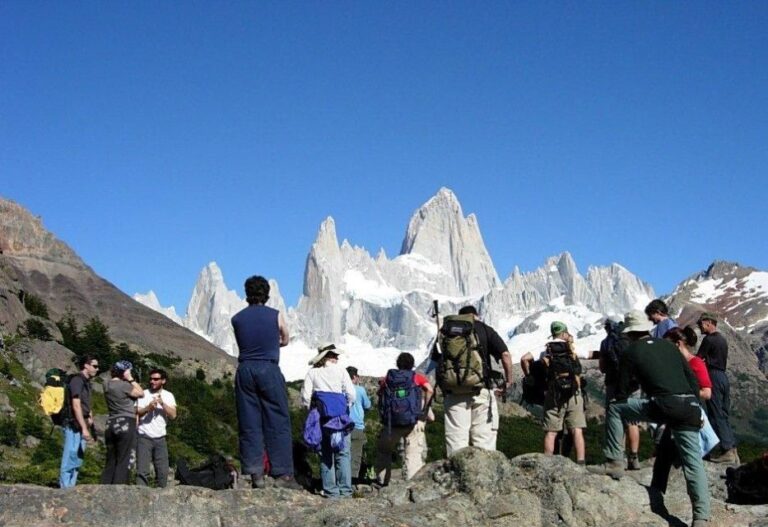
[329, 387]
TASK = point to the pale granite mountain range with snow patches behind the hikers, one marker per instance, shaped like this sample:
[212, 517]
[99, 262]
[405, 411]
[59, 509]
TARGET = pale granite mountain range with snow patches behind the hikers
[354, 298]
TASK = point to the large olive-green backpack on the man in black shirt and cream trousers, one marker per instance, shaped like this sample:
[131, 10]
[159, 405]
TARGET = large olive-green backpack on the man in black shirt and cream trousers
[460, 368]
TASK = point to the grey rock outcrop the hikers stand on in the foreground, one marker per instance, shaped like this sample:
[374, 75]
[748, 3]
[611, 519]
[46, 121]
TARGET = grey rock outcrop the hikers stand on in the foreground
[474, 488]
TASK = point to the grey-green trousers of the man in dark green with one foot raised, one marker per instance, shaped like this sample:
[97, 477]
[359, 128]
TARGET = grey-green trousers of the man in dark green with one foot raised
[686, 441]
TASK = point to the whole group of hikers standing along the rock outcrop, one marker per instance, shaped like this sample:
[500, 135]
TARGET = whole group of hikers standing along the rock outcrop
[651, 375]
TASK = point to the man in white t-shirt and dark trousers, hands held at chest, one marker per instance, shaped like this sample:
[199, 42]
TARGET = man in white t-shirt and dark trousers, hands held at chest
[155, 408]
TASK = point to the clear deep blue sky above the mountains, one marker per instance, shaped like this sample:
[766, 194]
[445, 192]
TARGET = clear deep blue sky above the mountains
[154, 137]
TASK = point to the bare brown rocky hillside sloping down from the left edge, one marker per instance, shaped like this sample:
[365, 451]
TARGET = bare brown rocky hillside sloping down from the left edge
[35, 261]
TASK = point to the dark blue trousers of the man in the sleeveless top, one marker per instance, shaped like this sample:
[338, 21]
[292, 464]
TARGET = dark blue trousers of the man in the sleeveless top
[264, 421]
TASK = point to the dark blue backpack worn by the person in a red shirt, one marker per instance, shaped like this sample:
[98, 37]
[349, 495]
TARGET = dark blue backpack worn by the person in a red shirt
[400, 399]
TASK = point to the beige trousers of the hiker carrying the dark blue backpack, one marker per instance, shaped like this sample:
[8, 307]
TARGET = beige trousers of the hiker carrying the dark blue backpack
[415, 448]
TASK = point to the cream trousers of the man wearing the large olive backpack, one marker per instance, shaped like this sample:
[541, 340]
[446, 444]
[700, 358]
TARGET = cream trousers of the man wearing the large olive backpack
[471, 420]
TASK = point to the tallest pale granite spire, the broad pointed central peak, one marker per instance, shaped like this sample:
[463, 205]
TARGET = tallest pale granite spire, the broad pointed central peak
[439, 231]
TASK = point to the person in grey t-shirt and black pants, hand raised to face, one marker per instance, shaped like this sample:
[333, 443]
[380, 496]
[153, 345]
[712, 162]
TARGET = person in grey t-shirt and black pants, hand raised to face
[121, 393]
